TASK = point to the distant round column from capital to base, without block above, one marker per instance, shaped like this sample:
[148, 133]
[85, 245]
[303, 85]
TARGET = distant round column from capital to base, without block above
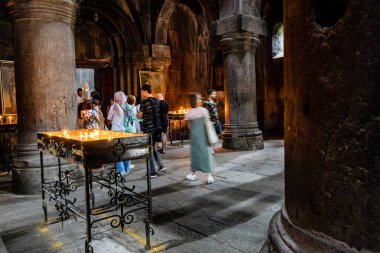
[241, 129]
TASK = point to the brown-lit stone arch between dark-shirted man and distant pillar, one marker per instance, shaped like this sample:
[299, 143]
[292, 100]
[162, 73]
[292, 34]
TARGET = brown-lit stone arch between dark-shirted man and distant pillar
[190, 48]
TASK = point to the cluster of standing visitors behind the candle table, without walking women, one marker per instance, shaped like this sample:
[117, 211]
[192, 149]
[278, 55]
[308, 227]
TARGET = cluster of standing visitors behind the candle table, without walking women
[123, 115]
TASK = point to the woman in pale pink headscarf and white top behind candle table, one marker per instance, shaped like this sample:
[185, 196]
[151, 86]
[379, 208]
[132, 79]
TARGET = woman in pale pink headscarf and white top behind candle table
[115, 122]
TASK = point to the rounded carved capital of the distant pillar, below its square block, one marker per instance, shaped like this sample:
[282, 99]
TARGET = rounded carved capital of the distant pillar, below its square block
[237, 42]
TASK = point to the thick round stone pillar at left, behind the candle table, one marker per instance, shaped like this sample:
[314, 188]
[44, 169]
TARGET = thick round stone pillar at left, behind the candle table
[43, 37]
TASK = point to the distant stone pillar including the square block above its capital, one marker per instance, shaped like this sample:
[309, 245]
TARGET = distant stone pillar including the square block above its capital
[239, 27]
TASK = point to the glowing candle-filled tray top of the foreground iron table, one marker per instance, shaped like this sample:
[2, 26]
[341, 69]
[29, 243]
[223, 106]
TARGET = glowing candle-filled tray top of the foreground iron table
[93, 148]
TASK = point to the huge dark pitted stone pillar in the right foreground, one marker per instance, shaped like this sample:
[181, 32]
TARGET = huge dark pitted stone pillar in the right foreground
[332, 129]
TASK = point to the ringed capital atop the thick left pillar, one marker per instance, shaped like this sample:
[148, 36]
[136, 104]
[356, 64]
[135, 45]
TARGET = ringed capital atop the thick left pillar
[51, 10]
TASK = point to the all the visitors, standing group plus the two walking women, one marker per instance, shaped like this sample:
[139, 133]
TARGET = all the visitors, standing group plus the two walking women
[151, 117]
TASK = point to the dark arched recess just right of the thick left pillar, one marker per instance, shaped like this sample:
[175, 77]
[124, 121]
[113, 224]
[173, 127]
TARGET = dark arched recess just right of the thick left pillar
[108, 40]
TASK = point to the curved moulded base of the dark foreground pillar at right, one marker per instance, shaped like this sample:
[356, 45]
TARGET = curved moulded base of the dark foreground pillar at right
[285, 237]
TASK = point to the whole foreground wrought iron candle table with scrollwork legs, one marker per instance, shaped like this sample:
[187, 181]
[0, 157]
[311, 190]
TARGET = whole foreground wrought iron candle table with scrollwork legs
[92, 149]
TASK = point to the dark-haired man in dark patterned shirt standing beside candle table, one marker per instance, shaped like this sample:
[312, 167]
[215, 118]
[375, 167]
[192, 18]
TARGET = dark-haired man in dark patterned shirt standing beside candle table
[151, 124]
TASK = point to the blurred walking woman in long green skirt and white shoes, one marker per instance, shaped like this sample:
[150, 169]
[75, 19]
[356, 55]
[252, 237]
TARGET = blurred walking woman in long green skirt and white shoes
[201, 153]
